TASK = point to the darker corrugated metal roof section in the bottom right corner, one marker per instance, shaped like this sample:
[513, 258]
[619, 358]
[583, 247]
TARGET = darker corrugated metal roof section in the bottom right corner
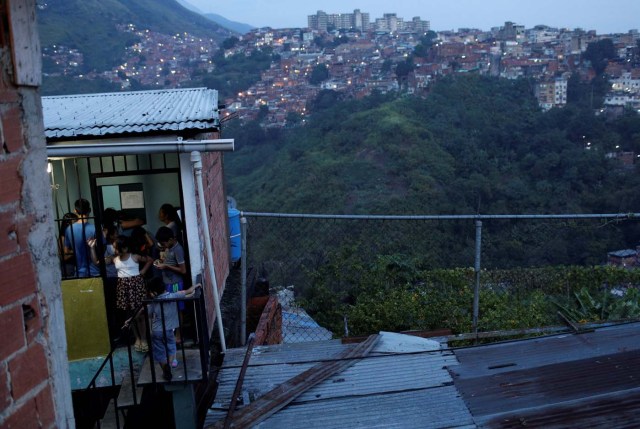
[580, 380]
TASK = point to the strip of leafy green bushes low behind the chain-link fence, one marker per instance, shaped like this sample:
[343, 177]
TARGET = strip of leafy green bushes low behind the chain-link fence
[397, 294]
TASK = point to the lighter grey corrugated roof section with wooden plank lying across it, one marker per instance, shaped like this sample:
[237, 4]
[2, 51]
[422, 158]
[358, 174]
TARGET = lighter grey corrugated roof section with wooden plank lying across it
[385, 389]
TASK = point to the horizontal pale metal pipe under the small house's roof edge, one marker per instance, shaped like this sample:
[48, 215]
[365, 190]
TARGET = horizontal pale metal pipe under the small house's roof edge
[136, 147]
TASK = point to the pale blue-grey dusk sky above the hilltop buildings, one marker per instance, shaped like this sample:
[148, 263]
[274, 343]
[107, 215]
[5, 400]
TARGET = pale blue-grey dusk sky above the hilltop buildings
[603, 16]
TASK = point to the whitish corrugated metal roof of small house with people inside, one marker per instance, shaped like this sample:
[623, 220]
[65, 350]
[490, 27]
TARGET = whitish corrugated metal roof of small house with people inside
[116, 113]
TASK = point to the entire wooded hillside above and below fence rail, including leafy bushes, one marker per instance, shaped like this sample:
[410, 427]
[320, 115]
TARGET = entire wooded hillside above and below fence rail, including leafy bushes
[473, 145]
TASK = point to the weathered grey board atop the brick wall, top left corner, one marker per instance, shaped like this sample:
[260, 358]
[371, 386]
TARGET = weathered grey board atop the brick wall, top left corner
[27, 63]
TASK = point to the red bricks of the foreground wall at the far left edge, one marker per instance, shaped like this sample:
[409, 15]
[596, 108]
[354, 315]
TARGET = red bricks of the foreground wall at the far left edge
[25, 397]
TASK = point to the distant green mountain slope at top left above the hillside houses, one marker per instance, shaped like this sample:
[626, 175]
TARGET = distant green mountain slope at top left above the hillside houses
[90, 26]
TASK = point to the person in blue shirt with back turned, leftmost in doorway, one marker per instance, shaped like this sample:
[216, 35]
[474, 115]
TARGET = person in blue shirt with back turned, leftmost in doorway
[76, 239]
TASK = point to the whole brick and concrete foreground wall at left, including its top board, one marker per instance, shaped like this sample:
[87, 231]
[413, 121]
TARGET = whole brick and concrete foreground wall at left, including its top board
[34, 378]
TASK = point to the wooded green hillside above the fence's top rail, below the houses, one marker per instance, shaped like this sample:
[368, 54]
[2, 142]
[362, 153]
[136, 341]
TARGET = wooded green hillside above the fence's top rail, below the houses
[474, 144]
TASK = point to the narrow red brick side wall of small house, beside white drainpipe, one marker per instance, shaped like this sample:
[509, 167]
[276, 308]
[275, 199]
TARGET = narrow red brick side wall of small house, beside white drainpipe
[216, 198]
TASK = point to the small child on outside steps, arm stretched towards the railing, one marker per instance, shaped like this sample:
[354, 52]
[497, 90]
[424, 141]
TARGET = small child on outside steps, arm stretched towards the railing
[164, 319]
